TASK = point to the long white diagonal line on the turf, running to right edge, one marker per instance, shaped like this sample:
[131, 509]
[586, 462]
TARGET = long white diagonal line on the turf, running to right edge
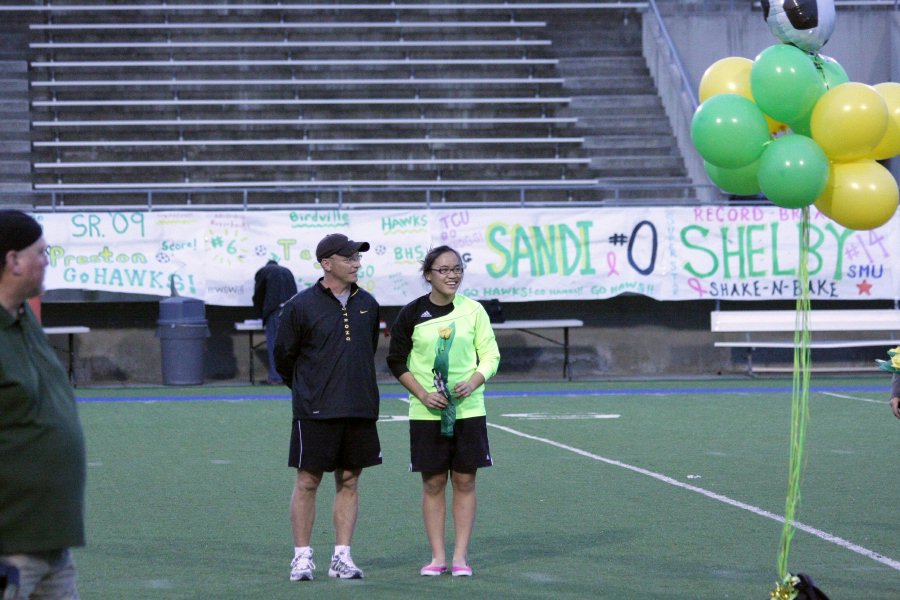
[824, 535]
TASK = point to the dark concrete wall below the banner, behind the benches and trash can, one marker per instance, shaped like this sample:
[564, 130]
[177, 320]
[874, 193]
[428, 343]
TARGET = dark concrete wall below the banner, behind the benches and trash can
[626, 336]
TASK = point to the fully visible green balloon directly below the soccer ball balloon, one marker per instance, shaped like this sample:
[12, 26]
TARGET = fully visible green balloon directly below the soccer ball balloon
[785, 82]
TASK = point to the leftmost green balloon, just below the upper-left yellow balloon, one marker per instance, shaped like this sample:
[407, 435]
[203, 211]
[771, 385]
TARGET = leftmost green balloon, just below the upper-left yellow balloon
[729, 131]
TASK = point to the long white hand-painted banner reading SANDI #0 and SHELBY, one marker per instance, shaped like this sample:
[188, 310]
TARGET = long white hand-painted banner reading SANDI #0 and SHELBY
[514, 255]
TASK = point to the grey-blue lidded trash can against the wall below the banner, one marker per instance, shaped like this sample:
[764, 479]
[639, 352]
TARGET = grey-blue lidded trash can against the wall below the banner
[182, 330]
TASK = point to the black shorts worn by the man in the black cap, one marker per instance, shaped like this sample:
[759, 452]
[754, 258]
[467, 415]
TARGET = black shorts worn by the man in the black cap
[326, 445]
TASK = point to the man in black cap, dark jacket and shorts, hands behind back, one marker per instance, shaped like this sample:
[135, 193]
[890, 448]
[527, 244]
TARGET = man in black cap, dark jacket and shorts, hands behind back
[325, 348]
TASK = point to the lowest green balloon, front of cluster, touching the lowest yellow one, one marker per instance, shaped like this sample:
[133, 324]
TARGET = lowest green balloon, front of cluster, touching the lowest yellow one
[793, 171]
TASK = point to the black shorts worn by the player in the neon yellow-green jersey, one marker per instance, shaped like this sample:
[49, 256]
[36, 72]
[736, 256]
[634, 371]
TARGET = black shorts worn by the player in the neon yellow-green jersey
[467, 450]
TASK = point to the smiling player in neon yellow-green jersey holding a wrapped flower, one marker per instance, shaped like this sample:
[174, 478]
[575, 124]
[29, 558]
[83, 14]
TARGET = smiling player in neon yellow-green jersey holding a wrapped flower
[443, 350]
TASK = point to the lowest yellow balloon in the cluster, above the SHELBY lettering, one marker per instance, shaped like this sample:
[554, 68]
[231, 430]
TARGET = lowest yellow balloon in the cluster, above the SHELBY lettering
[859, 195]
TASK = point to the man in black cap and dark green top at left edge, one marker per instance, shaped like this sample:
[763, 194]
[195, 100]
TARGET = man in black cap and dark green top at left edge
[42, 452]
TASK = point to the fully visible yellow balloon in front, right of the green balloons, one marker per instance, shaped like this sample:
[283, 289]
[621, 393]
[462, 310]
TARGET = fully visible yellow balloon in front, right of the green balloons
[849, 120]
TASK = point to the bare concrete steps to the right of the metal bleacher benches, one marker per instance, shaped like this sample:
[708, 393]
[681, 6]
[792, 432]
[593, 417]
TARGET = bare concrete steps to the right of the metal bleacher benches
[620, 115]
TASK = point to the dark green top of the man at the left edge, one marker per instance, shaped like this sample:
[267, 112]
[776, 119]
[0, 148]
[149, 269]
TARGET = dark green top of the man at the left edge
[42, 454]
